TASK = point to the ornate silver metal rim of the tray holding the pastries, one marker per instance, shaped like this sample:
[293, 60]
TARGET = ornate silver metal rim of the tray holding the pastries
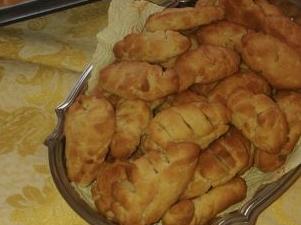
[56, 143]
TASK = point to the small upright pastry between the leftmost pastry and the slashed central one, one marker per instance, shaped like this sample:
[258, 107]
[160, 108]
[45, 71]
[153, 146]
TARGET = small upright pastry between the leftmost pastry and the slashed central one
[132, 118]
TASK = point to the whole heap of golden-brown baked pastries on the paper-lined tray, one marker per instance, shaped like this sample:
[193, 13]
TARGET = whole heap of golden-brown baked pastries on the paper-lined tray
[190, 104]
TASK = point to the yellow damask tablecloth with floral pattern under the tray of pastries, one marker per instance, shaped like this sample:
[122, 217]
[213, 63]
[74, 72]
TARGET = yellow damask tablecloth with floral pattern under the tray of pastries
[40, 60]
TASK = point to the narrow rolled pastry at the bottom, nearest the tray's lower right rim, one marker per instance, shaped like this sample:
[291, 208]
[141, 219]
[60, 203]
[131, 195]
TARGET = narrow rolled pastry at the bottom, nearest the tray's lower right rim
[199, 211]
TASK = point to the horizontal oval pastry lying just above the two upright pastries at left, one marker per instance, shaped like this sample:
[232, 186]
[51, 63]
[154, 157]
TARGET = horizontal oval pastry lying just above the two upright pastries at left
[138, 80]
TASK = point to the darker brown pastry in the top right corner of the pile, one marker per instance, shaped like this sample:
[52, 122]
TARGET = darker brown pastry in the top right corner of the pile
[263, 16]
